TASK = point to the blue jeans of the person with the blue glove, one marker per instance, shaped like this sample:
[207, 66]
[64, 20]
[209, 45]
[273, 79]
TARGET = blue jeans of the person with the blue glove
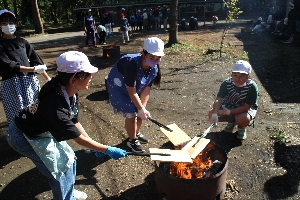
[63, 188]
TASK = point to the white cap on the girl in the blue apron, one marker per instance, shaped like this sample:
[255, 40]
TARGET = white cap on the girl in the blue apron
[154, 46]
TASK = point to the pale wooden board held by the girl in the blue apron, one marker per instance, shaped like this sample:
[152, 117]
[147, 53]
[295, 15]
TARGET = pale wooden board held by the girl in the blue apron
[177, 136]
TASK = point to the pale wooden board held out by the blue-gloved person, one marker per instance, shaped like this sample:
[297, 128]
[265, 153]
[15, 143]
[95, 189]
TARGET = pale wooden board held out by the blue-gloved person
[176, 155]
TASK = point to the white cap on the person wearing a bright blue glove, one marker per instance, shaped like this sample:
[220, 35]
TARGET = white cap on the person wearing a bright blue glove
[74, 61]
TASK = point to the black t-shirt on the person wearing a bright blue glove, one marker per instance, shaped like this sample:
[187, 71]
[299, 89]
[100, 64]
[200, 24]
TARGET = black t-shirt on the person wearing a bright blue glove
[52, 114]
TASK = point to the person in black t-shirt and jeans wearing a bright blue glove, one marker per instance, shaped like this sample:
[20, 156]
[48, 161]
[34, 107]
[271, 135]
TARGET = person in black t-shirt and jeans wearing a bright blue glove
[41, 130]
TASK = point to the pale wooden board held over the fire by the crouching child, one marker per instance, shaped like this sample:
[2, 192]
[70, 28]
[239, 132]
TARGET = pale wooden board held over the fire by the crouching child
[194, 147]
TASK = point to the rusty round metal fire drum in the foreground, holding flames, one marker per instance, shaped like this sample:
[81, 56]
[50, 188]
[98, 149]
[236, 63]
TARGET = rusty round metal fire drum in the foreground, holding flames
[170, 187]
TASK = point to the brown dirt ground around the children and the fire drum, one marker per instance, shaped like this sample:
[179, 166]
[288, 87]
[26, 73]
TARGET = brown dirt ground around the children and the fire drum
[264, 166]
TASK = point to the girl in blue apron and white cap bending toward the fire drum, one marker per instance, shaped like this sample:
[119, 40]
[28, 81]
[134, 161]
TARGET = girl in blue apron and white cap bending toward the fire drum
[129, 83]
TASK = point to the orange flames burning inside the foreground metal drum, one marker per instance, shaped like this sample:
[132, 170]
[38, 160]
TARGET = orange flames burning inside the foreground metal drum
[193, 170]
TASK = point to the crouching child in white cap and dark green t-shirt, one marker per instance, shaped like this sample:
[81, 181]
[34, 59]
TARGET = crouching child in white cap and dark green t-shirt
[236, 100]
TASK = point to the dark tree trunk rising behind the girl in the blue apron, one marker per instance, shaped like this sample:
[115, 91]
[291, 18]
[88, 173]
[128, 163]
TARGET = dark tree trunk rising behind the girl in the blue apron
[173, 30]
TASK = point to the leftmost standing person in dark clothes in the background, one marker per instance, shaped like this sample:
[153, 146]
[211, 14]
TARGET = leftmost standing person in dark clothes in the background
[90, 28]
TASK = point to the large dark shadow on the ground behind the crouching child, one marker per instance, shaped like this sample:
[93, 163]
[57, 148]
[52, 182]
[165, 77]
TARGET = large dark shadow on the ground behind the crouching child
[279, 71]
